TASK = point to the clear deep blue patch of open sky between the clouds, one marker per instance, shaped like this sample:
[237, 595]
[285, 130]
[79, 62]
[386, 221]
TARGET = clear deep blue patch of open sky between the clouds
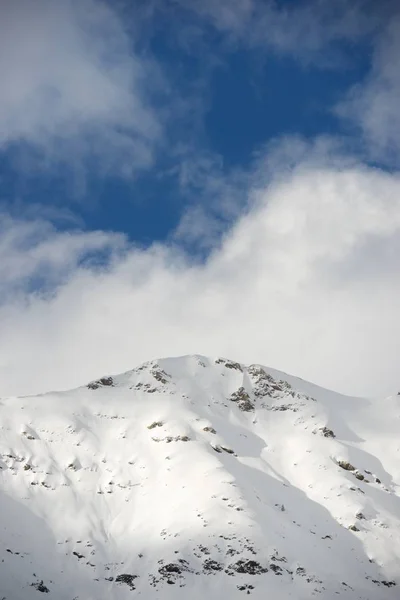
[235, 100]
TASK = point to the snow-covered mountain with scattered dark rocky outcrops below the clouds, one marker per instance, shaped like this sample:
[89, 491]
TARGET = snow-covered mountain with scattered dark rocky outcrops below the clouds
[192, 478]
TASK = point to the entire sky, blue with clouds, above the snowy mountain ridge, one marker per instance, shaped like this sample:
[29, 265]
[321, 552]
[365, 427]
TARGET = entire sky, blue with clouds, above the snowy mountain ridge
[158, 133]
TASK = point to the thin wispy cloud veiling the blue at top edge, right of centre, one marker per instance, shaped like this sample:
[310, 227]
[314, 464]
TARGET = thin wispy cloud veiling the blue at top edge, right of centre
[300, 29]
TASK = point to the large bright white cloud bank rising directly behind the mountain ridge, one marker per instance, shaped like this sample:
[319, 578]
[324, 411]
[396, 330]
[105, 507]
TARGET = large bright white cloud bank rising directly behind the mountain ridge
[307, 282]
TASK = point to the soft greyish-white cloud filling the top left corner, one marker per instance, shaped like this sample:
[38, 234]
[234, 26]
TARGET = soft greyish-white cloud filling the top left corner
[71, 85]
